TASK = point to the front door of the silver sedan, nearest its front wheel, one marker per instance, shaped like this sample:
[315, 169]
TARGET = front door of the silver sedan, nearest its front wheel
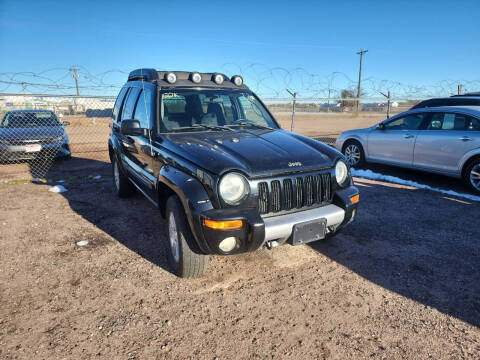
[393, 143]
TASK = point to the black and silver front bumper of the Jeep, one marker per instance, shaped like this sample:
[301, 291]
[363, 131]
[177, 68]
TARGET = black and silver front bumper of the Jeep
[260, 231]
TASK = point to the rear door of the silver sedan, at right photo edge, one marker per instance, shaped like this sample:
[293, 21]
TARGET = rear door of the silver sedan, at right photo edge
[444, 141]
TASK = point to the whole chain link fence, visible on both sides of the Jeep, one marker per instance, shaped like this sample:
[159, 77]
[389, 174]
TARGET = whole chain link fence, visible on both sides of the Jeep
[56, 136]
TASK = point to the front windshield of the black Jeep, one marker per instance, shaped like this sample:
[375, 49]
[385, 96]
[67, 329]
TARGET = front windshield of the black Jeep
[211, 110]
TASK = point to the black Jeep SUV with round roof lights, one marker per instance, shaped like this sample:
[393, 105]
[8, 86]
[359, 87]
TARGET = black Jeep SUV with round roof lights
[206, 151]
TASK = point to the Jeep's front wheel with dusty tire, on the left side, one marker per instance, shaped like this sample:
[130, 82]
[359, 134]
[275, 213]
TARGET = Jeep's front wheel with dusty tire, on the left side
[185, 259]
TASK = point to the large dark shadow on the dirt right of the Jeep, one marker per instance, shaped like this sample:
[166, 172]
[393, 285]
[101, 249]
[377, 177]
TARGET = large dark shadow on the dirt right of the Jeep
[422, 245]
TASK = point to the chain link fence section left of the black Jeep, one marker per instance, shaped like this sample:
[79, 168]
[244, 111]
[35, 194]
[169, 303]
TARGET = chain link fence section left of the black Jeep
[40, 134]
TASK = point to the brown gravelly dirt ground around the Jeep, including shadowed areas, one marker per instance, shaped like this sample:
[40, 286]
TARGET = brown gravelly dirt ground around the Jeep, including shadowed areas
[401, 282]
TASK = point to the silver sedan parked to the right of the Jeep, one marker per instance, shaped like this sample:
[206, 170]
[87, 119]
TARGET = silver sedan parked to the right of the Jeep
[444, 140]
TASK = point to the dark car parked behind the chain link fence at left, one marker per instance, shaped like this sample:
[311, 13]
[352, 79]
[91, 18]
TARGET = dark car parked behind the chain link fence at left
[32, 134]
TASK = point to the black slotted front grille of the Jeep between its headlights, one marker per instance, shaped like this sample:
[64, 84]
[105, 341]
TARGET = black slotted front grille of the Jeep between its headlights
[296, 192]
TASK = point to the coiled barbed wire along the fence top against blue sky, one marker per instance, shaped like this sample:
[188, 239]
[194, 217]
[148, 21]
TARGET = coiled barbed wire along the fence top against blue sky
[266, 81]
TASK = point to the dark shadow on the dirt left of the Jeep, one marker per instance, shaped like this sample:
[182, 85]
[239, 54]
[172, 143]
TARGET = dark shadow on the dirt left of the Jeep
[134, 222]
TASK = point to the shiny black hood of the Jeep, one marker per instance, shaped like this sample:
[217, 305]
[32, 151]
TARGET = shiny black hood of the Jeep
[257, 153]
